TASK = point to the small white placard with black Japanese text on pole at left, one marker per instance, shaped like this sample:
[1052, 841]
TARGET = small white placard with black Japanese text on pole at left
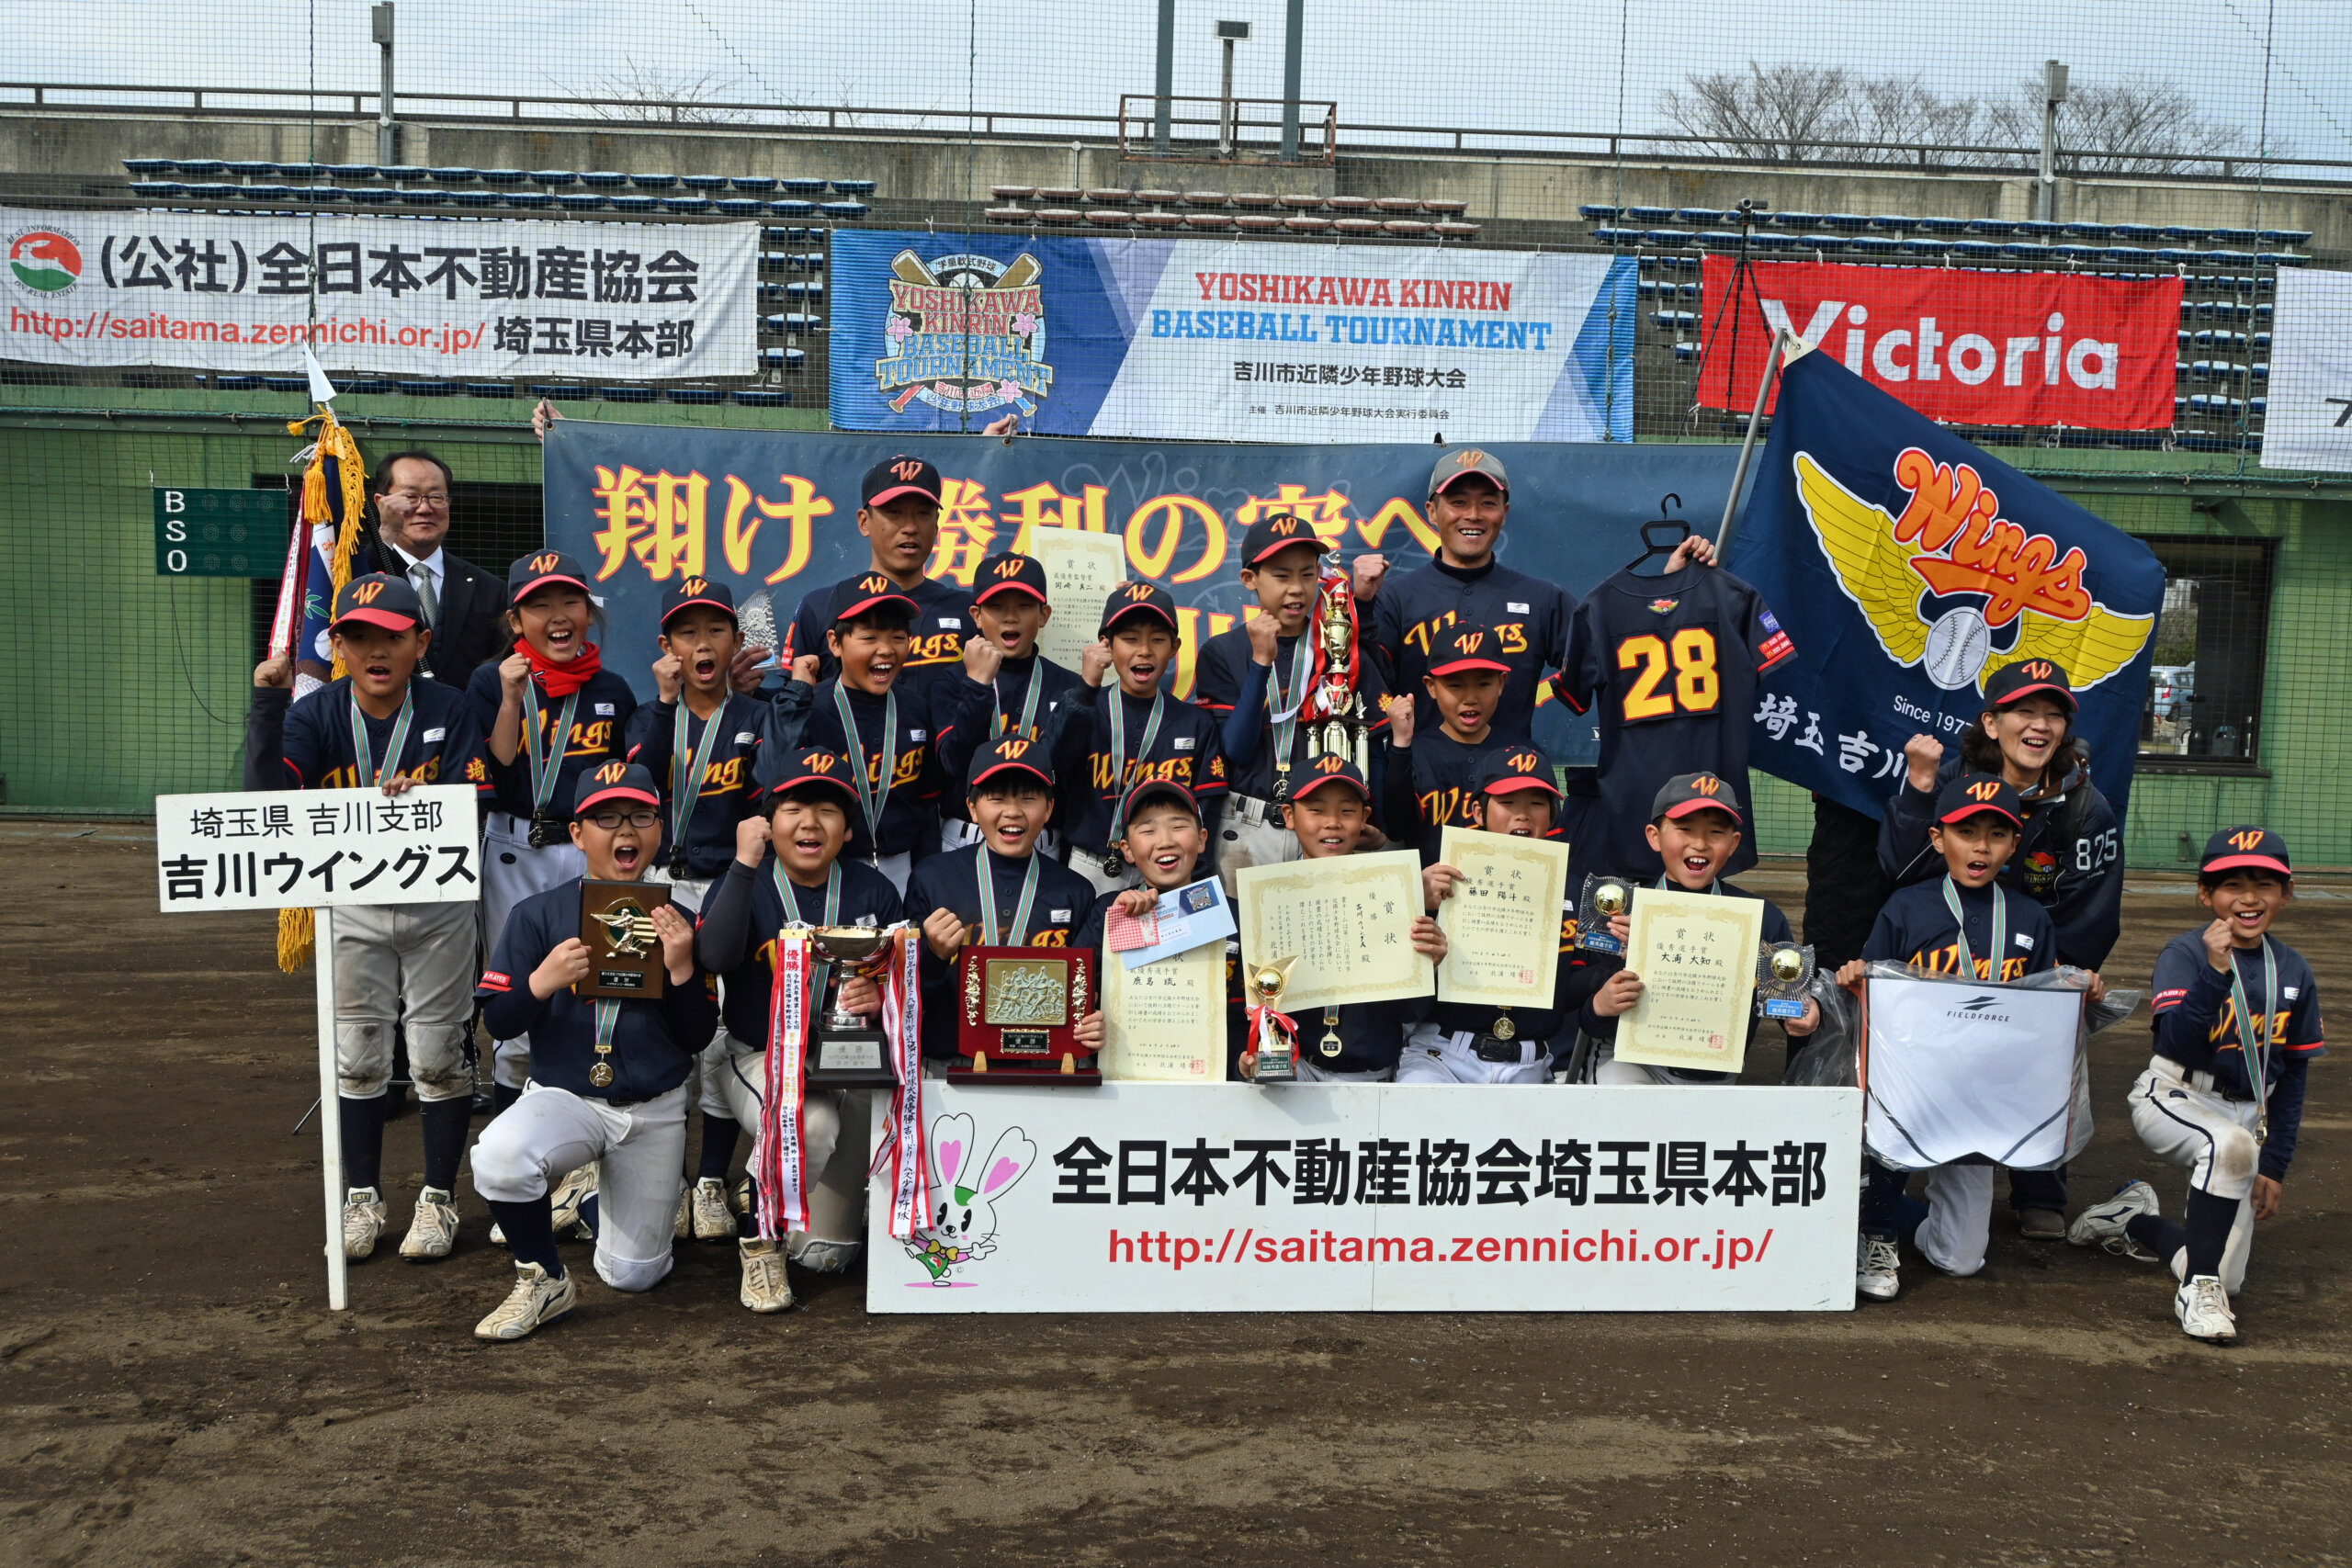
[269, 850]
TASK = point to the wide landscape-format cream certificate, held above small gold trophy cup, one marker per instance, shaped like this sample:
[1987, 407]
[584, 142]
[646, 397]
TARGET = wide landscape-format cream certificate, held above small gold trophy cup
[1347, 920]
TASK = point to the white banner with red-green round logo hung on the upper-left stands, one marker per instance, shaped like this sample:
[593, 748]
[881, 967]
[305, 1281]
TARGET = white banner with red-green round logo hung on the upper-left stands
[417, 297]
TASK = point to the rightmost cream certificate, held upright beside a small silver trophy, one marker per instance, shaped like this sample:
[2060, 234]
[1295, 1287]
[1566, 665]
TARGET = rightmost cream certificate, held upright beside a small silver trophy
[1697, 956]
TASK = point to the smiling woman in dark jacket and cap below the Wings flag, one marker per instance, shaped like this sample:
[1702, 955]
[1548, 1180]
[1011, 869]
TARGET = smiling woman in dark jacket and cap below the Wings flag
[2071, 857]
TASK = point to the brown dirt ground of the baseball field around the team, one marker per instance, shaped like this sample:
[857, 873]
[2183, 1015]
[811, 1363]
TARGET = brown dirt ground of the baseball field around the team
[173, 1388]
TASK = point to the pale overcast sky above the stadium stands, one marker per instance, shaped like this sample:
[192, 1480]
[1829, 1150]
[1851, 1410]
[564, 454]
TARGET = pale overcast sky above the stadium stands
[1426, 62]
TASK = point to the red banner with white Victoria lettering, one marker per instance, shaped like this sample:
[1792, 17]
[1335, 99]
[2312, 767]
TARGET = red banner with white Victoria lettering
[1963, 347]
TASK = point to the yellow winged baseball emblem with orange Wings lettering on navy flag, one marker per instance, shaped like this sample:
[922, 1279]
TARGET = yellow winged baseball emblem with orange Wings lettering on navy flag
[1953, 542]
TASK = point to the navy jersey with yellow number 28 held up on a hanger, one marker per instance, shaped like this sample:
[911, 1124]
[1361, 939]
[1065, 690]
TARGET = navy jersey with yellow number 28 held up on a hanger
[1669, 666]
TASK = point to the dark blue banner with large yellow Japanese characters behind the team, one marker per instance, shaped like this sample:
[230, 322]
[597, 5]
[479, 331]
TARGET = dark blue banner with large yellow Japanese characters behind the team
[777, 509]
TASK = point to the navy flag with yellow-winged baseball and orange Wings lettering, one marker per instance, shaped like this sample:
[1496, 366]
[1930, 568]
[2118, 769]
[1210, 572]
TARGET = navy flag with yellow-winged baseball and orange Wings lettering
[1920, 568]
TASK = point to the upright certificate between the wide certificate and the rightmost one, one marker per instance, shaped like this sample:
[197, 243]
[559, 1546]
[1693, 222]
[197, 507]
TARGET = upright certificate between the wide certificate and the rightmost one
[1504, 923]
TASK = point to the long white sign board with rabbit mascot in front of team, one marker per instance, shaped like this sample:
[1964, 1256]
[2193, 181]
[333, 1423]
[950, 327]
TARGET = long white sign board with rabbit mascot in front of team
[1231, 1198]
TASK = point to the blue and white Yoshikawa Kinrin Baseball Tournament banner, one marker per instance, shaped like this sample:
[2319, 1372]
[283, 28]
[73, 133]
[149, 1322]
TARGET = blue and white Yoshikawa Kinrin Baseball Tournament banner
[1231, 340]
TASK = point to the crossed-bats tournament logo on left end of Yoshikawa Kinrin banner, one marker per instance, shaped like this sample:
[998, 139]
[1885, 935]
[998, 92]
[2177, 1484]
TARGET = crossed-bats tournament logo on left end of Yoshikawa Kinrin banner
[965, 335]
